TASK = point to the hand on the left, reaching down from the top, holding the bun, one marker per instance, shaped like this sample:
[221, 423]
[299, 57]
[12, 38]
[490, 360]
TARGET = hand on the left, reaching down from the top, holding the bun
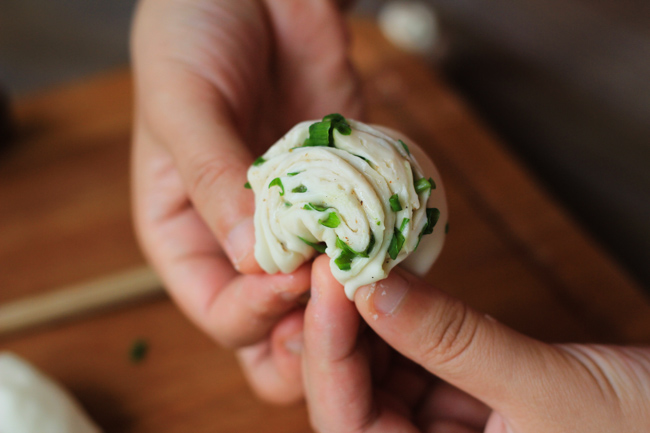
[217, 82]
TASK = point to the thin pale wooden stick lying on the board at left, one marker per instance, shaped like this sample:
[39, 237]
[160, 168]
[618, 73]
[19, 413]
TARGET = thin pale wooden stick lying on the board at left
[78, 299]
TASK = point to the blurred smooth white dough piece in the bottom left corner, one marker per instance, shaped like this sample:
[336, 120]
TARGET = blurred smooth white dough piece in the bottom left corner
[30, 402]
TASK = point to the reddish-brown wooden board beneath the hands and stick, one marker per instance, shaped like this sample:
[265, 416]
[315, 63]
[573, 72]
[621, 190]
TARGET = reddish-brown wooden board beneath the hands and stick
[64, 217]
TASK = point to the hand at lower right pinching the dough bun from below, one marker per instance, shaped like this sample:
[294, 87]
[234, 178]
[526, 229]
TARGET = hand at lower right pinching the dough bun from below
[495, 379]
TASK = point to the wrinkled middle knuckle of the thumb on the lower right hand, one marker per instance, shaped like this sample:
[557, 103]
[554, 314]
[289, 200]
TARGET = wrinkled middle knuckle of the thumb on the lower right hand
[449, 336]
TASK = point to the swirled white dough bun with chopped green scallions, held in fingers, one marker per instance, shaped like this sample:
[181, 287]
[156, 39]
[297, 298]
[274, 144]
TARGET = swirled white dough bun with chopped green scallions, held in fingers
[364, 195]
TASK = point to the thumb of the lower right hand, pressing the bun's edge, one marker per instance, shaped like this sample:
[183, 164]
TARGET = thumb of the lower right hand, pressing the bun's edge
[468, 349]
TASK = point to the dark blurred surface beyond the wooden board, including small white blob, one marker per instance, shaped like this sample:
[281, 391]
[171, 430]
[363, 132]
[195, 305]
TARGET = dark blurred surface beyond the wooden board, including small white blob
[564, 82]
